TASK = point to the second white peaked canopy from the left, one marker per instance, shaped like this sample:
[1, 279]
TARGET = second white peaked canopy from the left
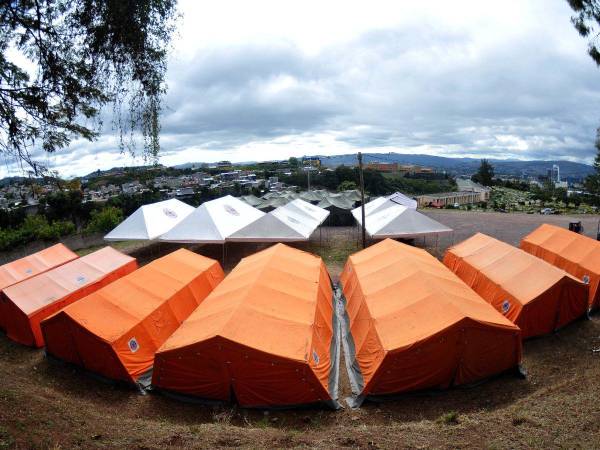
[213, 221]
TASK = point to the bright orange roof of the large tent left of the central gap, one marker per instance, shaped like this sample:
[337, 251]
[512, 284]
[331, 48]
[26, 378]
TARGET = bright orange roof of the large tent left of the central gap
[275, 291]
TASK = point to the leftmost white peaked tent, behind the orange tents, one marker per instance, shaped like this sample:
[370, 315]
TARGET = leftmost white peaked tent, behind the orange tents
[148, 222]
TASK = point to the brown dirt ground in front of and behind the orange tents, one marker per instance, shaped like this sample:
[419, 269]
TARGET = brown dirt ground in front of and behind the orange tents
[46, 405]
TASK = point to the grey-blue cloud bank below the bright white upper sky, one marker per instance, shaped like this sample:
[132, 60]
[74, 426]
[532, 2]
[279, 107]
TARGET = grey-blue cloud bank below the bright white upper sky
[418, 88]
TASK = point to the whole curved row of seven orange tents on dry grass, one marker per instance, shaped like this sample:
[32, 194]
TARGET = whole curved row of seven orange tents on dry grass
[270, 332]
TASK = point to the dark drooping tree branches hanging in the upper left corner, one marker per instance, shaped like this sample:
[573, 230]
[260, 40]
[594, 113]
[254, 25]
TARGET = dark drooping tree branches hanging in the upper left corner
[61, 61]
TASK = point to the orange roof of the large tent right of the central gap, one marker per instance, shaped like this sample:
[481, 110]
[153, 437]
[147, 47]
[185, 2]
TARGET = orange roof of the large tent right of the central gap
[397, 280]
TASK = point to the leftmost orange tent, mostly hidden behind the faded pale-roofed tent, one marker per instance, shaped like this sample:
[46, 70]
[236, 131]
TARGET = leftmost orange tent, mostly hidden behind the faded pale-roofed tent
[29, 266]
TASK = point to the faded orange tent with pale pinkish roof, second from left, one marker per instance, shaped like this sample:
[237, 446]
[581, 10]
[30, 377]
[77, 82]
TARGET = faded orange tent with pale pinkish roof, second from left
[27, 303]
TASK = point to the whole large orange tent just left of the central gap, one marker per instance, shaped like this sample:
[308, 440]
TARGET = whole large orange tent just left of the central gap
[264, 336]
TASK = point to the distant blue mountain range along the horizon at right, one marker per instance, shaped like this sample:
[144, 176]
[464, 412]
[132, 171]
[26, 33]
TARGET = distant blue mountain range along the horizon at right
[466, 166]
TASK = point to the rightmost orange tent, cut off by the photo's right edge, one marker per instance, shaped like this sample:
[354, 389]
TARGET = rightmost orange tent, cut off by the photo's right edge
[574, 253]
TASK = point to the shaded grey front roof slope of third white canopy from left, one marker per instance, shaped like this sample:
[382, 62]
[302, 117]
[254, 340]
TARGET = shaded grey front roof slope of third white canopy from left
[268, 228]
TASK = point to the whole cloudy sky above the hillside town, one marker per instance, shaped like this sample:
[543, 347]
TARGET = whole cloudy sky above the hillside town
[272, 79]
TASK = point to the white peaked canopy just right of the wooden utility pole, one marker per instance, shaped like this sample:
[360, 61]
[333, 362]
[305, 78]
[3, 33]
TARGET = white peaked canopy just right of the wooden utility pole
[400, 222]
